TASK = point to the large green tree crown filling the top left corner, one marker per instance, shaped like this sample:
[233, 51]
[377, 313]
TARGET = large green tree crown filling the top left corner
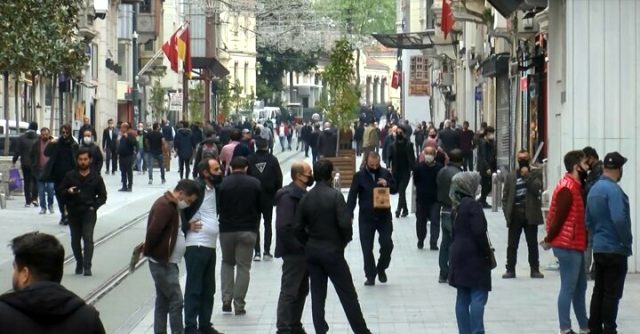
[41, 36]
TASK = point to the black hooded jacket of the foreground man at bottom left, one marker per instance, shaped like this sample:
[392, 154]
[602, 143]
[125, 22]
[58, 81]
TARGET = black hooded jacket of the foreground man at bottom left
[47, 307]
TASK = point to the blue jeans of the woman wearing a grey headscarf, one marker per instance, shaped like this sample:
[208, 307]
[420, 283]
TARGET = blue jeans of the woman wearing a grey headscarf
[470, 310]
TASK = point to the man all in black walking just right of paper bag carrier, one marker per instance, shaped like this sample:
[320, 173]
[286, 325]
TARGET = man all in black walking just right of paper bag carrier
[402, 160]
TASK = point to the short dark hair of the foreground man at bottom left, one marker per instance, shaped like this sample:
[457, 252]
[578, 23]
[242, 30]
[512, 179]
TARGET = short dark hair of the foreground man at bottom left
[40, 252]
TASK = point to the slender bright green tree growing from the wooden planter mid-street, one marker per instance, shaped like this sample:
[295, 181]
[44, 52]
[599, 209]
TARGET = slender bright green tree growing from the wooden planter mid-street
[339, 76]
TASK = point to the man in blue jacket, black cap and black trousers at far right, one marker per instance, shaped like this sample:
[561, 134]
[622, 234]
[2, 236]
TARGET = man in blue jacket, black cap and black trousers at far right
[609, 222]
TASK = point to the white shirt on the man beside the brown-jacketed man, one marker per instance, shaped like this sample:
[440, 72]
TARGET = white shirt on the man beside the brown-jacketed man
[208, 216]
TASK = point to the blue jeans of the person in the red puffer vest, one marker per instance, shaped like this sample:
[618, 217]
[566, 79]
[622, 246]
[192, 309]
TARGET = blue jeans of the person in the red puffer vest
[573, 287]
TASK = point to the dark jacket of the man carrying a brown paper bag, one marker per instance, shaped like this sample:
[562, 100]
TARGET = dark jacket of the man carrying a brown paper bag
[362, 190]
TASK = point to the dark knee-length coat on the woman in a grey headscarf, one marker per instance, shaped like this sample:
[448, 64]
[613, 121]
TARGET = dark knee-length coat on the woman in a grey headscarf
[469, 260]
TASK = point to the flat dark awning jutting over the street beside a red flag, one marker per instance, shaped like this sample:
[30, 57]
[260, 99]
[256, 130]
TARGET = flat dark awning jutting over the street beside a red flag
[414, 40]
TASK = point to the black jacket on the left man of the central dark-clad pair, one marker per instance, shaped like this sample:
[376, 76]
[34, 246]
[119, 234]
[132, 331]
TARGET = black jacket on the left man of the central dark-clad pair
[287, 241]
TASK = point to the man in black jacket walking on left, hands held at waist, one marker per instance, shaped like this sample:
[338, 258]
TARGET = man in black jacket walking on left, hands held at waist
[84, 193]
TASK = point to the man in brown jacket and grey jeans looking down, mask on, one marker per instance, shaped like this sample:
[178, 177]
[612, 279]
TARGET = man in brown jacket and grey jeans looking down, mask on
[165, 246]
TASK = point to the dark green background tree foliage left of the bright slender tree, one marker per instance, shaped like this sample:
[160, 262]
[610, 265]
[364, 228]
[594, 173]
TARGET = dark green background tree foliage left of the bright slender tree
[273, 65]
